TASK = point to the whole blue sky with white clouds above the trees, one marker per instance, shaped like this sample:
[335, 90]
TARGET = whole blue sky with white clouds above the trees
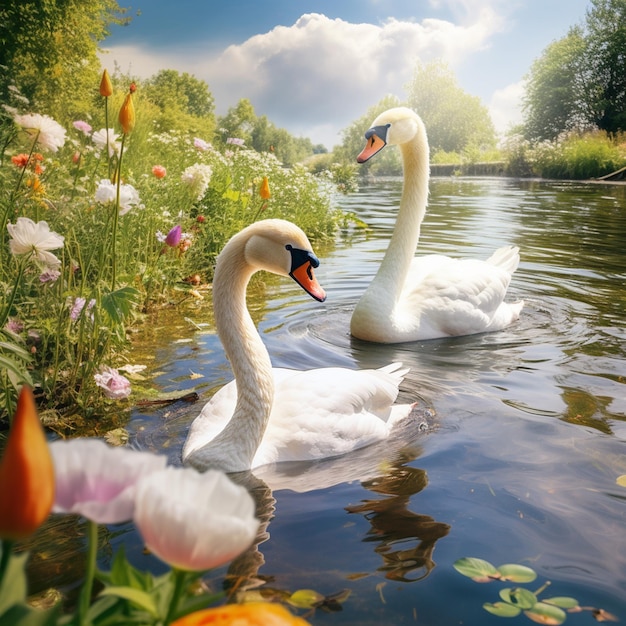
[315, 66]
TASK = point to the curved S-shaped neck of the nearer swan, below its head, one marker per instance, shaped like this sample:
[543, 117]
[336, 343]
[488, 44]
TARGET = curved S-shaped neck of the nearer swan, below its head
[235, 447]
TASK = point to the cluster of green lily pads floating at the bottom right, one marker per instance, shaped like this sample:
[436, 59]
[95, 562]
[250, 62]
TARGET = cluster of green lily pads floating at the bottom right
[517, 600]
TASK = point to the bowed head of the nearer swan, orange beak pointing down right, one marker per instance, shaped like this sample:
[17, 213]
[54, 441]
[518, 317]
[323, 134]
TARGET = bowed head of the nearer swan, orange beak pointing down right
[280, 247]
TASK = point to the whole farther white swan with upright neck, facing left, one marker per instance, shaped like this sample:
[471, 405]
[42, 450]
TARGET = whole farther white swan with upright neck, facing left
[428, 297]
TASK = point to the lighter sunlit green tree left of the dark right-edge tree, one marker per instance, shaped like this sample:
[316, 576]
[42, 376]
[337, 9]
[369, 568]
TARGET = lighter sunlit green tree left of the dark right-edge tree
[551, 102]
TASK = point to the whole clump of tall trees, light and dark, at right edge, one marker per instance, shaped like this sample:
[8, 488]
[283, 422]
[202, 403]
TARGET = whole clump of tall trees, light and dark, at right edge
[579, 82]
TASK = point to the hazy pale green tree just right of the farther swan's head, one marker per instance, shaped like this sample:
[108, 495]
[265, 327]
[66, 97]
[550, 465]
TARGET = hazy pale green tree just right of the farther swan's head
[454, 119]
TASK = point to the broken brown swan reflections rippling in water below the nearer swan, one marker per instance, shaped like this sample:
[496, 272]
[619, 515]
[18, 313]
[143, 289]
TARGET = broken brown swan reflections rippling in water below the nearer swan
[393, 526]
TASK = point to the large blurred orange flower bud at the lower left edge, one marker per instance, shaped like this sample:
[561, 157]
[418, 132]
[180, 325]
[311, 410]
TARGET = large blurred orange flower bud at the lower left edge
[26, 473]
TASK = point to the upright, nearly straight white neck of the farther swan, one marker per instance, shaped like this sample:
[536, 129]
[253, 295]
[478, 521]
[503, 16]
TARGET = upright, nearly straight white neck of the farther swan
[393, 270]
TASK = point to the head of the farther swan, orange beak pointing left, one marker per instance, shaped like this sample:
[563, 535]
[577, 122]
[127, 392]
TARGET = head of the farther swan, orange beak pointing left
[393, 127]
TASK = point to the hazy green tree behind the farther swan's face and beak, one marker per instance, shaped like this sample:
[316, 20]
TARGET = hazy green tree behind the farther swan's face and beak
[353, 141]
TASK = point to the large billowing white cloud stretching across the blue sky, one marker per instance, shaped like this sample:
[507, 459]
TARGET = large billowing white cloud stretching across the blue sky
[319, 73]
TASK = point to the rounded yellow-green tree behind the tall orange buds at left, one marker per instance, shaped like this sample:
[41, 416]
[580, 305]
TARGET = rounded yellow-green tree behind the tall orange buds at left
[185, 102]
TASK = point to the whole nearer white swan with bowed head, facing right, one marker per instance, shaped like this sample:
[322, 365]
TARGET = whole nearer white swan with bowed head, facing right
[270, 415]
